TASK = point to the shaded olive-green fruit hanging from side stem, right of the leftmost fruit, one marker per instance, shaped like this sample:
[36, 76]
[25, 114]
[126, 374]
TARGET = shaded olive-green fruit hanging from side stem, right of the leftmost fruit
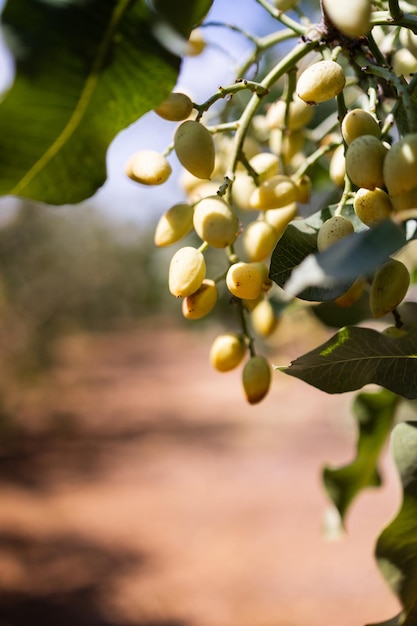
[194, 147]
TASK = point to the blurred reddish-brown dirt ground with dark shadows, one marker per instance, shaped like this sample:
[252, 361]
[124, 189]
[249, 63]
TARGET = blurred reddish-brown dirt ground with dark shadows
[137, 488]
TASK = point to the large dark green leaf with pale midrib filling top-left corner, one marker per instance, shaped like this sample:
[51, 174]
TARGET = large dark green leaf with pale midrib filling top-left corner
[86, 69]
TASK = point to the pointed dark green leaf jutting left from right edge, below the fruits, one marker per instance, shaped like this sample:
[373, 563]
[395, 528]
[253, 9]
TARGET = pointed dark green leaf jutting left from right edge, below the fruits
[355, 357]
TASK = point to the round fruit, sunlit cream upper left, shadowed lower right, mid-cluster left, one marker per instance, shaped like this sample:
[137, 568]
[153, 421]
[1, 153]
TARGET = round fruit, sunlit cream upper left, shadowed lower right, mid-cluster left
[215, 222]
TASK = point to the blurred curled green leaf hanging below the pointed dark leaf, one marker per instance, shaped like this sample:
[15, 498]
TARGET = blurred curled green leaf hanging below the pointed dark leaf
[374, 413]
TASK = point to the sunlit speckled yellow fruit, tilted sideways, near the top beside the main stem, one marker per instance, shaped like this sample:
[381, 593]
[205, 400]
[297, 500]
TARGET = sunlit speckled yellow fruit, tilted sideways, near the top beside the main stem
[320, 82]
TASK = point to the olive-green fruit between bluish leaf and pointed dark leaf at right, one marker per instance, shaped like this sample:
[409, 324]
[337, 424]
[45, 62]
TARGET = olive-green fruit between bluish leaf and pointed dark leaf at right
[389, 287]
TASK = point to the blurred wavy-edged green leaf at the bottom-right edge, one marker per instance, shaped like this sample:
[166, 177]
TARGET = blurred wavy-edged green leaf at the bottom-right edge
[396, 548]
